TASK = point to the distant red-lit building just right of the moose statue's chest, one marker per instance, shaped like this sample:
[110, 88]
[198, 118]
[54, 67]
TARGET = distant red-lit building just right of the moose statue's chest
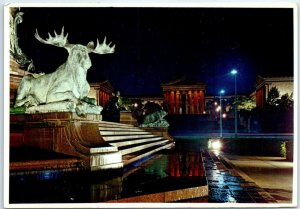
[101, 91]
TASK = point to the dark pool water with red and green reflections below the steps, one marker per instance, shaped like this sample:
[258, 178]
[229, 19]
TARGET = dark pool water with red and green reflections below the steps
[168, 170]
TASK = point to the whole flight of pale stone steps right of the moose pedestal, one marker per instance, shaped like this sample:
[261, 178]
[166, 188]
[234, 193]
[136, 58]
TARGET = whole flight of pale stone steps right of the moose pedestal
[132, 142]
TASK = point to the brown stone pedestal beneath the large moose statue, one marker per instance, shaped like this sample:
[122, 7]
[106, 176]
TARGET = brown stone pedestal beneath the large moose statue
[66, 133]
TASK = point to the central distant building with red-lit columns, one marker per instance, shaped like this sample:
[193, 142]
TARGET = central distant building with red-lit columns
[184, 97]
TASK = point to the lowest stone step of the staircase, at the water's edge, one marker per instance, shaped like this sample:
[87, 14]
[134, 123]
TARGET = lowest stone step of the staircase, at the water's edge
[133, 157]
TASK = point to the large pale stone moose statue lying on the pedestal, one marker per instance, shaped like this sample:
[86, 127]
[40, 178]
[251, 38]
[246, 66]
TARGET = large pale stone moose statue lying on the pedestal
[66, 89]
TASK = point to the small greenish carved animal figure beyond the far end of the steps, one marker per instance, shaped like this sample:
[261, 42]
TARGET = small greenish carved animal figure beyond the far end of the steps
[155, 119]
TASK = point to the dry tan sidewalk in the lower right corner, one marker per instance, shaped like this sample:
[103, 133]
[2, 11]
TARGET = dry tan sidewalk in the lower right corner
[273, 174]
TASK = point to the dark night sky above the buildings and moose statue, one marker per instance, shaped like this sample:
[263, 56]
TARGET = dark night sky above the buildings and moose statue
[158, 45]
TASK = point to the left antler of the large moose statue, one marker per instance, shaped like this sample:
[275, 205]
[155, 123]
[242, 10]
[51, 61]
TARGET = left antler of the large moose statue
[58, 40]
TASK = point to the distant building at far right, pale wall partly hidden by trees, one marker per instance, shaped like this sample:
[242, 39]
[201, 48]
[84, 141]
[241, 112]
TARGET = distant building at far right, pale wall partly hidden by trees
[285, 85]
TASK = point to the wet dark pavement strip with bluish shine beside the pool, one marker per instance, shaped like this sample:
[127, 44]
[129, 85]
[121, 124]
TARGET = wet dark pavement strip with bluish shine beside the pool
[227, 186]
